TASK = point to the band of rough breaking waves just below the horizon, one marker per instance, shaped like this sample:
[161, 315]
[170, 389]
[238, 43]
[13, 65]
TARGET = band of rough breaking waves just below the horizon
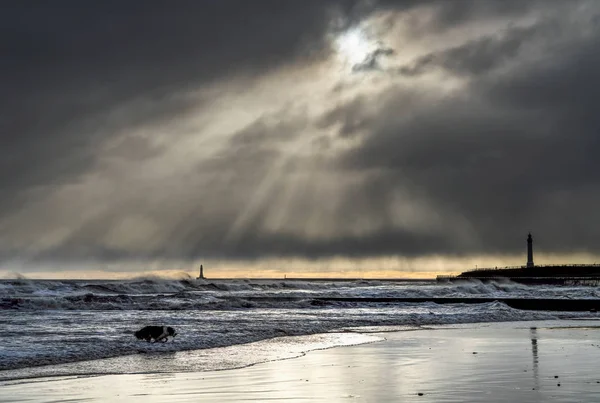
[160, 294]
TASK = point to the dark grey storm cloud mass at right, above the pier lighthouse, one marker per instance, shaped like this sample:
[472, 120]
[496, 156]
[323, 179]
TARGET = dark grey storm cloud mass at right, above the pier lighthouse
[515, 151]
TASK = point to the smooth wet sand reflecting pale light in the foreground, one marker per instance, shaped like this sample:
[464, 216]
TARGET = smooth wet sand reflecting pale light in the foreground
[555, 361]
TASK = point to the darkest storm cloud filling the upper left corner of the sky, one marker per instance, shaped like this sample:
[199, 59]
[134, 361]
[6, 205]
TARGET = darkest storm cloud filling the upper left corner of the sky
[68, 67]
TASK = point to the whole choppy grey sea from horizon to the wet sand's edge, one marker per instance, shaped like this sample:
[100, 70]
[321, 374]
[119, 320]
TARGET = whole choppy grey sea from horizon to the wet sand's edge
[86, 327]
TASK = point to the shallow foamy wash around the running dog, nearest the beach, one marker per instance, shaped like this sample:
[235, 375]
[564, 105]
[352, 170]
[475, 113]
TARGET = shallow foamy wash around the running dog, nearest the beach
[55, 337]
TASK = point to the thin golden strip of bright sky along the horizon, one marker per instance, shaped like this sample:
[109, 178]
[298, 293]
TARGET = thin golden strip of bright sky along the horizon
[390, 267]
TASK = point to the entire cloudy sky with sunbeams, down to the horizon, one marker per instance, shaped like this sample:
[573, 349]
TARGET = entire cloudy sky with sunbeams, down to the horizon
[310, 137]
